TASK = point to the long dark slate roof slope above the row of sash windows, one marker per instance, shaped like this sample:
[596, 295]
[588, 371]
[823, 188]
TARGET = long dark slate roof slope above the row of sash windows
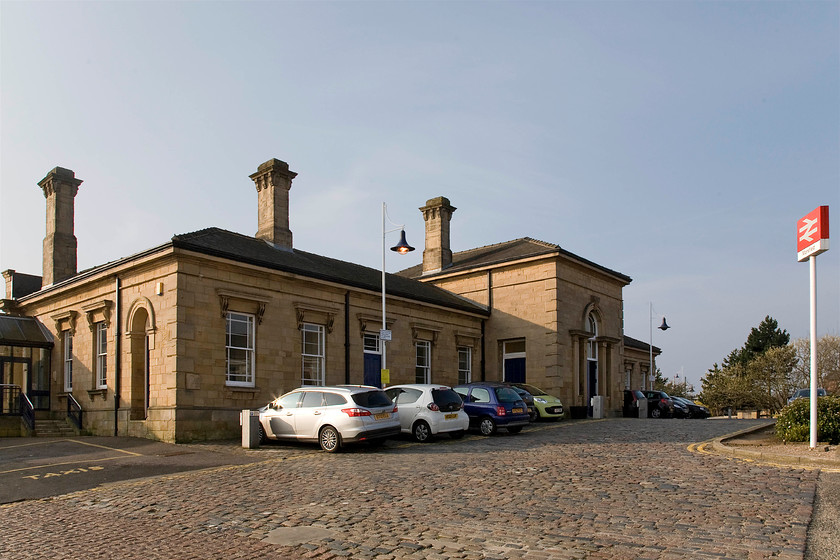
[226, 244]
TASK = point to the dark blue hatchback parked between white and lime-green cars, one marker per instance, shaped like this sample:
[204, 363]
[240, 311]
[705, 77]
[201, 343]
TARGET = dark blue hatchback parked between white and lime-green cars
[493, 405]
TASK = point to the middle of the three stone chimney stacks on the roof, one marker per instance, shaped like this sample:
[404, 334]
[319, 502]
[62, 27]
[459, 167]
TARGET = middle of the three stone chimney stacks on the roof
[274, 180]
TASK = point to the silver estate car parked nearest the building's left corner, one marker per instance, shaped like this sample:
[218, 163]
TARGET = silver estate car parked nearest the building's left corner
[332, 416]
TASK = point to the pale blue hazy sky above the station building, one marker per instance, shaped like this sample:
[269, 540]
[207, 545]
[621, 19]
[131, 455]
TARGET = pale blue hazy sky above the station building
[675, 142]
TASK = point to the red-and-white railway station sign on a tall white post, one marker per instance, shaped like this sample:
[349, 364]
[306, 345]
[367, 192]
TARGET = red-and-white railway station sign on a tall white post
[811, 240]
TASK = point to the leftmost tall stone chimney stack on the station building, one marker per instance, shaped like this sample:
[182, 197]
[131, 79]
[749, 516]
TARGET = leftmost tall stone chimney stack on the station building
[60, 187]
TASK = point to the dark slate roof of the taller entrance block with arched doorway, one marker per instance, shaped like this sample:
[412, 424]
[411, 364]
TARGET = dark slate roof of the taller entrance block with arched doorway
[500, 253]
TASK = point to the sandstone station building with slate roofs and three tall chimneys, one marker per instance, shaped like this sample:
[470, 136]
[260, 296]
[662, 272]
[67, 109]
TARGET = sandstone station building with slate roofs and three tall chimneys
[173, 342]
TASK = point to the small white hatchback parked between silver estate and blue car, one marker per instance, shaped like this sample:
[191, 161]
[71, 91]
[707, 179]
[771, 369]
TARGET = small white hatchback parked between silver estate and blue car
[427, 410]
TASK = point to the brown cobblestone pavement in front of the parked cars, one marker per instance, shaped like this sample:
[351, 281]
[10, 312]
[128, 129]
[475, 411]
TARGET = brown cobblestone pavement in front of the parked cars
[617, 488]
